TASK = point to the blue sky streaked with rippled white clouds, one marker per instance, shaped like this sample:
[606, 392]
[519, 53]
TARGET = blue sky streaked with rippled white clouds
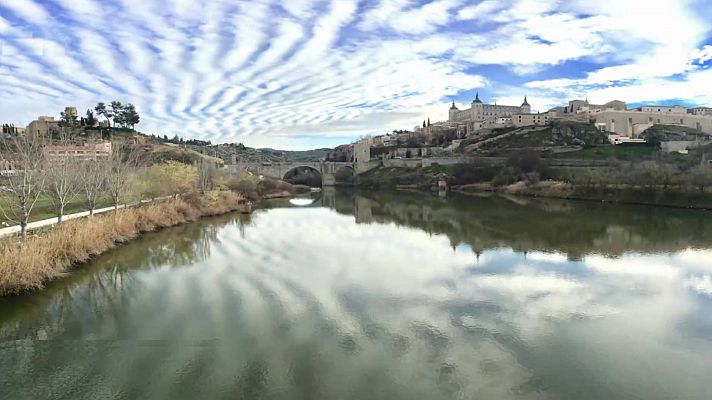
[302, 74]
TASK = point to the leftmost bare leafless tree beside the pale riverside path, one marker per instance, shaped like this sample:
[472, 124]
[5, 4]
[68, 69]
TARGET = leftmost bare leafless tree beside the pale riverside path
[25, 181]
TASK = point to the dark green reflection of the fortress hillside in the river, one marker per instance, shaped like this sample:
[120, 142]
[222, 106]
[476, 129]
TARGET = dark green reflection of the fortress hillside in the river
[523, 224]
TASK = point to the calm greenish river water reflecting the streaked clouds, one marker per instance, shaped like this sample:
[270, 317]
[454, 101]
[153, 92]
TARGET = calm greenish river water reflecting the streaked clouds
[380, 296]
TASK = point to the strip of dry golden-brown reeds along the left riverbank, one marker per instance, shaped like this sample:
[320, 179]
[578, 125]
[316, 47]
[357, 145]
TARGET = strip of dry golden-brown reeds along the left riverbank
[29, 265]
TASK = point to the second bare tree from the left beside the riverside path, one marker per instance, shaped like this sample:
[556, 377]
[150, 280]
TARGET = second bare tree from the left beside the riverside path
[62, 174]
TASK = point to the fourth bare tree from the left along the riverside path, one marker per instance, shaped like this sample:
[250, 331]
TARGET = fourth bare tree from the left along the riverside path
[118, 169]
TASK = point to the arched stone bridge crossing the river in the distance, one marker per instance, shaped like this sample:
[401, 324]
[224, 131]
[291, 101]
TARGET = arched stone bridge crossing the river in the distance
[327, 169]
